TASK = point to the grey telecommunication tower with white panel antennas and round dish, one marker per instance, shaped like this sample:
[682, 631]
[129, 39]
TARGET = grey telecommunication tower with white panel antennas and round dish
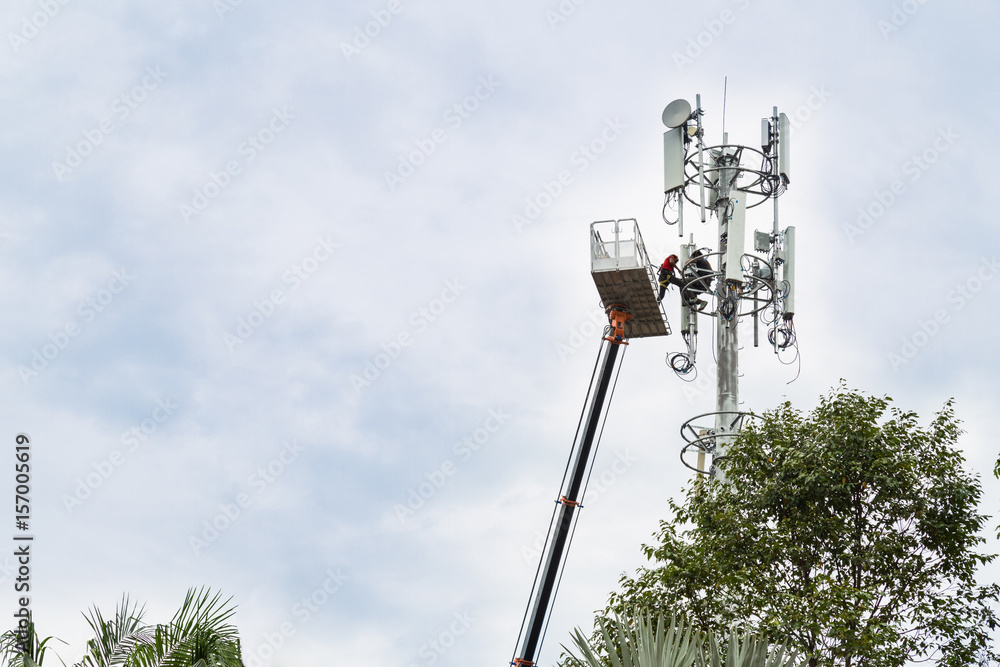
[759, 283]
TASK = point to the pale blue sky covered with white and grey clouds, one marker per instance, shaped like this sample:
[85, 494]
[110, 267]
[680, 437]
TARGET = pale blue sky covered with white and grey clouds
[270, 268]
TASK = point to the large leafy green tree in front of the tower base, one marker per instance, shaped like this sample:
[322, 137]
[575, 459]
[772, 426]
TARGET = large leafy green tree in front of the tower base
[849, 532]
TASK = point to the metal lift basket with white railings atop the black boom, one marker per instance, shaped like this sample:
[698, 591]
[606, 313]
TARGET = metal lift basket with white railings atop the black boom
[623, 275]
